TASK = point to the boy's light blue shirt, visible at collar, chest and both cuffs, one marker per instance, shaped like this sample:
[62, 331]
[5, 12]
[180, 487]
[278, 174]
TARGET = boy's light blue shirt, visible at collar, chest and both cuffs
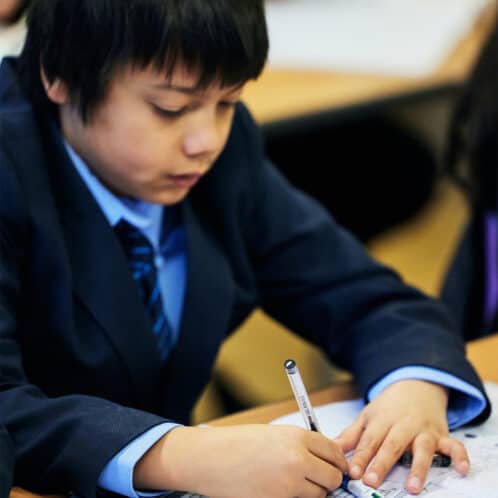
[170, 258]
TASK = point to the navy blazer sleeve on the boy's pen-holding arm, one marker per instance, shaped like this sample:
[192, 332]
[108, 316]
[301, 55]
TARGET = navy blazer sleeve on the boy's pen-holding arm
[61, 444]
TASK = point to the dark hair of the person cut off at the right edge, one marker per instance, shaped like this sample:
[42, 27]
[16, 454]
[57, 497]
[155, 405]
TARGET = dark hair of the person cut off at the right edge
[473, 136]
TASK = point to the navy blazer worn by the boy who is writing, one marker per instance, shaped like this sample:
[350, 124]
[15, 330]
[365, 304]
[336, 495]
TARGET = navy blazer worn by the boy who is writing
[79, 372]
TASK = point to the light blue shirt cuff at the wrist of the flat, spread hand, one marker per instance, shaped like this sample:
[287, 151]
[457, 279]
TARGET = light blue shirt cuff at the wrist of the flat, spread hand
[465, 403]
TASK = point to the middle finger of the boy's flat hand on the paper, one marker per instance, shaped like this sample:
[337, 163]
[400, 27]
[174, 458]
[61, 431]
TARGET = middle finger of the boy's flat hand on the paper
[389, 452]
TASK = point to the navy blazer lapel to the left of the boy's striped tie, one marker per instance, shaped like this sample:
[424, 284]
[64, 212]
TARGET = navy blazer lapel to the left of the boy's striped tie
[102, 281]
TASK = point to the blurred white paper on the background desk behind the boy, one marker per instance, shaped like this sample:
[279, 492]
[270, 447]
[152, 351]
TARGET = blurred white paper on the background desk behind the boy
[397, 37]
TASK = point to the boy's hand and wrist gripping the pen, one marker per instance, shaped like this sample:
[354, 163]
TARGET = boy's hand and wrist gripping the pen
[244, 461]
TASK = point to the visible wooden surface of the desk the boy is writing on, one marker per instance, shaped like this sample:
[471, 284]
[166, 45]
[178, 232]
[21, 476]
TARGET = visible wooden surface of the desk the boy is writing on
[483, 354]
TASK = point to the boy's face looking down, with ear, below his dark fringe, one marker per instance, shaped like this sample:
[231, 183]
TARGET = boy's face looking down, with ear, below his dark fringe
[151, 139]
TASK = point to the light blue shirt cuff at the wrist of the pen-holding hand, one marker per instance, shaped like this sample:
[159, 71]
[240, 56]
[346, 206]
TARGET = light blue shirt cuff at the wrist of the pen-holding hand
[117, 475]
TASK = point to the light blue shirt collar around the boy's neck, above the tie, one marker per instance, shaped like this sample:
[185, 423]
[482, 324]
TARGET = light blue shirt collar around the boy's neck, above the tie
[145, 216]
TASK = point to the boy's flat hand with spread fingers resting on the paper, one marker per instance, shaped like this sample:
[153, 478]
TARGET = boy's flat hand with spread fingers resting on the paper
[407, 415]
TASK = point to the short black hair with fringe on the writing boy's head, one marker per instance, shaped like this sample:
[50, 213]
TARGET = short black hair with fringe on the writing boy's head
[85, 42]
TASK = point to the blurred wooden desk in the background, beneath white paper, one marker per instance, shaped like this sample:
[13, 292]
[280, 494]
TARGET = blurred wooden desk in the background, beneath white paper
[284, 94]
